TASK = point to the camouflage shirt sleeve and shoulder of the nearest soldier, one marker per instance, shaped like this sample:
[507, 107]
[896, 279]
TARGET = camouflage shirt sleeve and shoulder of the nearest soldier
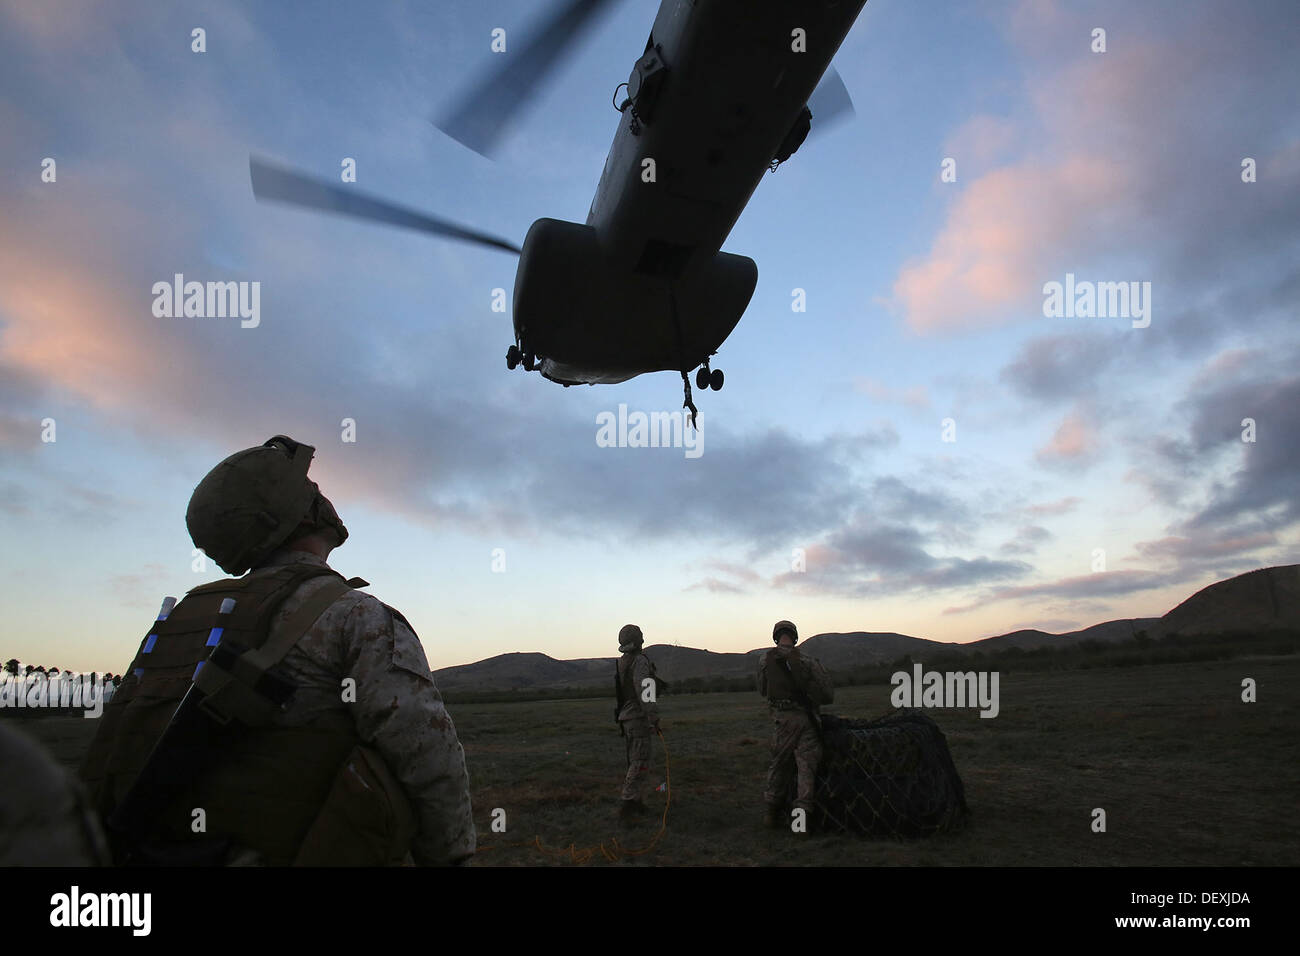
[398, 708]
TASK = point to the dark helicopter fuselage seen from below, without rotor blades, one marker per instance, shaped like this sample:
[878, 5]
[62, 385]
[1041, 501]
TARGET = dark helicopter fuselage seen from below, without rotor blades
[643, 285]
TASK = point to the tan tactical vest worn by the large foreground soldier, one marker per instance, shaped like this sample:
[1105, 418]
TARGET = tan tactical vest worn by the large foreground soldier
[270, 789]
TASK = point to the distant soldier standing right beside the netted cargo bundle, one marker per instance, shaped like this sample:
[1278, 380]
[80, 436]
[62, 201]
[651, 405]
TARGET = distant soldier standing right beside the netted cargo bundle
[795, 687]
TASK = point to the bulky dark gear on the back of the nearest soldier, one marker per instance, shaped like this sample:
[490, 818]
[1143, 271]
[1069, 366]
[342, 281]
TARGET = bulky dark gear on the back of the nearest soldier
[190, 726]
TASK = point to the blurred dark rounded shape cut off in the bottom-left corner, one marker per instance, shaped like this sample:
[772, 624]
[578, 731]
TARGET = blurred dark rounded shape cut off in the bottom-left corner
[45, 820]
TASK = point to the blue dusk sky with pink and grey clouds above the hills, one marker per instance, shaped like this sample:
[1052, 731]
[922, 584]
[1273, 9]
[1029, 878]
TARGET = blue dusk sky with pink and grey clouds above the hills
[921, 451]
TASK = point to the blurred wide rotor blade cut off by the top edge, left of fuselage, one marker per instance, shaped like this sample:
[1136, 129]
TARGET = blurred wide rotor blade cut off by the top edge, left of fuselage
[482, 115]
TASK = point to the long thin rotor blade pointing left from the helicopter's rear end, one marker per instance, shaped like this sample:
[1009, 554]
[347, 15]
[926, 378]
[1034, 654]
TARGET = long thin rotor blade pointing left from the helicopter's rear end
[287, 187]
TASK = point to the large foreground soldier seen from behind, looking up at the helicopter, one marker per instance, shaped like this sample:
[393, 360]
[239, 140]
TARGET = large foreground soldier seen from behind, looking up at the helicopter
[311, 730]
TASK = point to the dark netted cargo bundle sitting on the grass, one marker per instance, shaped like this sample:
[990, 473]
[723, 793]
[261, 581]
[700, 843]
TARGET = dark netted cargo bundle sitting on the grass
[890, 777]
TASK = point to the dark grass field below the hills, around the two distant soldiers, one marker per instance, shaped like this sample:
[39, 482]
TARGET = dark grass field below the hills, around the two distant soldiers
[1186, 772]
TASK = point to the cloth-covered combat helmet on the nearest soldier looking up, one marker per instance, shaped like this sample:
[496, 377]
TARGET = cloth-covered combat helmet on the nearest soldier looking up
[254, 503]
